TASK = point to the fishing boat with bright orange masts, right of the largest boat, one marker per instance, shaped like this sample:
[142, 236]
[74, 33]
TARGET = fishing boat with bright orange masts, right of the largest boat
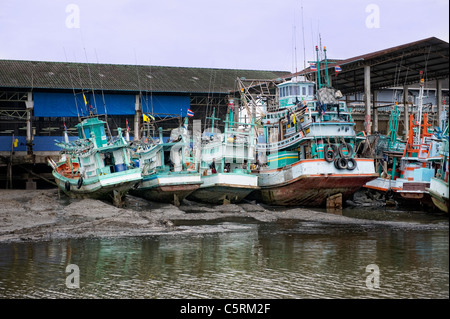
[405, 173]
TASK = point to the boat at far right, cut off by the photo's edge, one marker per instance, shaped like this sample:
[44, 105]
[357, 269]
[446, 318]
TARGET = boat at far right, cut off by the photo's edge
[438, 189]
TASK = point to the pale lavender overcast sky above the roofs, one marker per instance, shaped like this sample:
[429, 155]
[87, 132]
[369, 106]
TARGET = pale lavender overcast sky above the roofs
[241, 34]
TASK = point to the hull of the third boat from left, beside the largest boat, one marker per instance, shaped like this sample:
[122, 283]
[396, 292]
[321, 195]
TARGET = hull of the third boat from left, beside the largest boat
[225, 188]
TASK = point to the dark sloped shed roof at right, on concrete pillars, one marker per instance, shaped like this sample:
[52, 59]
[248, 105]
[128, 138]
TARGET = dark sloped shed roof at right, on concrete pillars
[399, 65]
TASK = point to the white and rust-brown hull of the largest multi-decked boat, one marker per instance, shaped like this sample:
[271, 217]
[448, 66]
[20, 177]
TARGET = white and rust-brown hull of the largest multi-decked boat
[311, 182]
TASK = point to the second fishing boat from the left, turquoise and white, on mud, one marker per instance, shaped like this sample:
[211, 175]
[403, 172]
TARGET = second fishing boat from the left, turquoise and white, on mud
[168, 170]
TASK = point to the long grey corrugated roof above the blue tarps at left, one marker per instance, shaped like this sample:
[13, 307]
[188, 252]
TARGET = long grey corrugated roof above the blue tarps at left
[116, 77]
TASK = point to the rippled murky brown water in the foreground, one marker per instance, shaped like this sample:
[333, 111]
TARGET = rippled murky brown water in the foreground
[241, 258]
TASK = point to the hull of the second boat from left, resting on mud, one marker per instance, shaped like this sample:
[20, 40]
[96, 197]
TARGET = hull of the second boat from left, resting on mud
[168, 188]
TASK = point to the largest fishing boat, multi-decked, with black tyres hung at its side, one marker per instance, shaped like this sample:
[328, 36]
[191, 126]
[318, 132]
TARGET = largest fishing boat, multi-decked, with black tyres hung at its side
[307, 150]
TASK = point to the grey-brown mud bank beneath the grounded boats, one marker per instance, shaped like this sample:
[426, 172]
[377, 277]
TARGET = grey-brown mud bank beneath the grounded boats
[40, 215]
